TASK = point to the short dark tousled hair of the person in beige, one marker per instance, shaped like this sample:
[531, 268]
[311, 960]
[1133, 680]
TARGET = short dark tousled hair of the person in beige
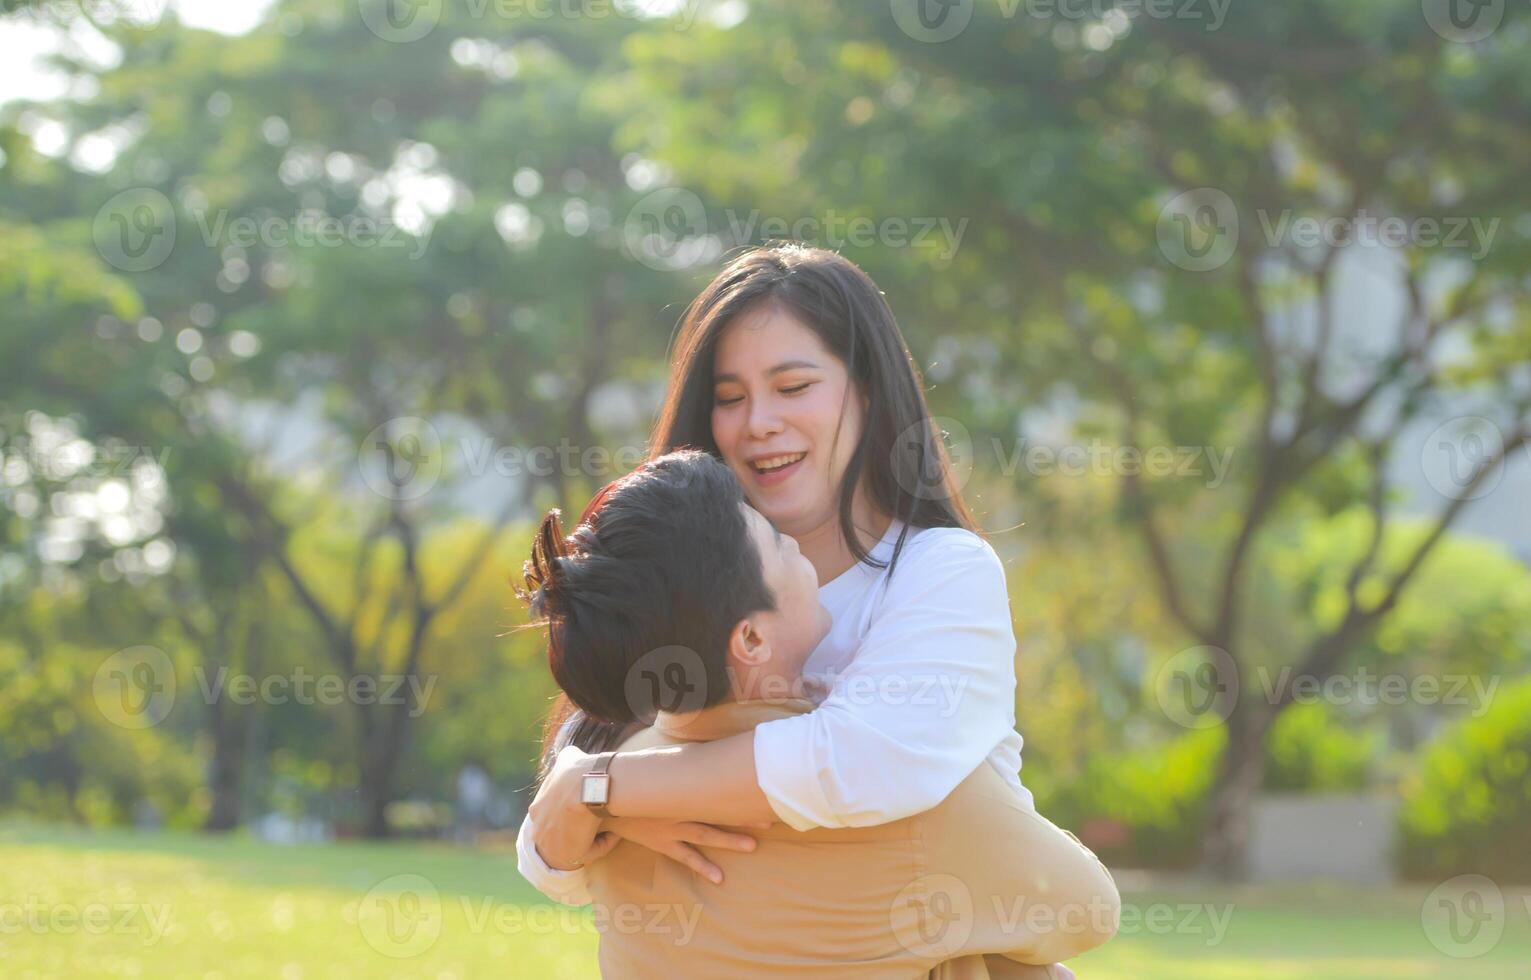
[639, 601]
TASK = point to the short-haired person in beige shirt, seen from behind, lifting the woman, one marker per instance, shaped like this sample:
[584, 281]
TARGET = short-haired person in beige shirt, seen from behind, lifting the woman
[674, 586]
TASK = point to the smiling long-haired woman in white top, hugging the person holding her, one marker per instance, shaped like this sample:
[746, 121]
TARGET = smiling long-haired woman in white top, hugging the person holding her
[791, 368]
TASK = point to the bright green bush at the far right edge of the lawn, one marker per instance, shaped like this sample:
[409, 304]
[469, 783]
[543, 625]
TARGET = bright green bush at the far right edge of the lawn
[1467, 806]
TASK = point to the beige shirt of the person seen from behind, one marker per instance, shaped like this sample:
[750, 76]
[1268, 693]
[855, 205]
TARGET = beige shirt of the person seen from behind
[982, 874]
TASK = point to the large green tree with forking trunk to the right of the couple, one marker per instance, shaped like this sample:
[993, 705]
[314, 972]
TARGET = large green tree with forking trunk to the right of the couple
[1080, 151]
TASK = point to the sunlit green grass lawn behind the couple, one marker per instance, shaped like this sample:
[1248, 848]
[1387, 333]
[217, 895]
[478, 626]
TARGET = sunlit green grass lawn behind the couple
[125, 904]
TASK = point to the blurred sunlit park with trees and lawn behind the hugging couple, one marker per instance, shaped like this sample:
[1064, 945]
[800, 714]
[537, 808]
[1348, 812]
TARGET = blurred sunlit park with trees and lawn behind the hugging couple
[310, 309]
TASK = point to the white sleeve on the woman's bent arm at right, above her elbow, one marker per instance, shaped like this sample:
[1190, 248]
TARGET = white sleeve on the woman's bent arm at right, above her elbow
[927, 699]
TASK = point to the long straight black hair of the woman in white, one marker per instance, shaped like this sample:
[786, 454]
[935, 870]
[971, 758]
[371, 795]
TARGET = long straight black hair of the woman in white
[899, 456]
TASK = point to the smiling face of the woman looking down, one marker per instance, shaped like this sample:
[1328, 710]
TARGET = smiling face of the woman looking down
[779, 397]
